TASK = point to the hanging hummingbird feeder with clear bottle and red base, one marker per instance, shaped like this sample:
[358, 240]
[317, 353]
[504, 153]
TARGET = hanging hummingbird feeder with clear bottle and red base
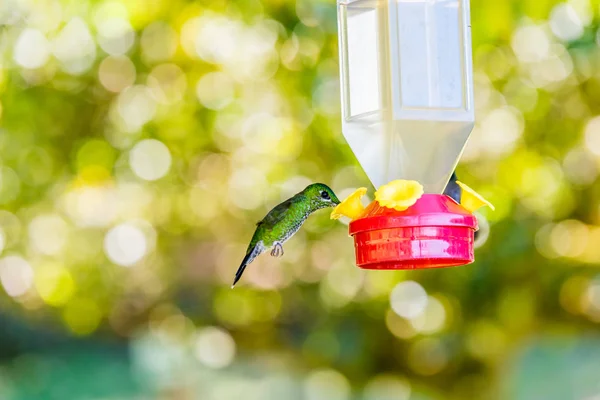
[407, 112]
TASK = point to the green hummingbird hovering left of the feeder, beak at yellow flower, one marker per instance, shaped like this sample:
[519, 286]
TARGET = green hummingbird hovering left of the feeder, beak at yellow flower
[284, 220]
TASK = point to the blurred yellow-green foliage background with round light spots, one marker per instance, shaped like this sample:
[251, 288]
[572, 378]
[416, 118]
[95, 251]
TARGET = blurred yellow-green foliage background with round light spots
[141, 140]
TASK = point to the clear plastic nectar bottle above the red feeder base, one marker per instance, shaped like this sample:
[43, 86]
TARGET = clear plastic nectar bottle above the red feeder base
[407, 87]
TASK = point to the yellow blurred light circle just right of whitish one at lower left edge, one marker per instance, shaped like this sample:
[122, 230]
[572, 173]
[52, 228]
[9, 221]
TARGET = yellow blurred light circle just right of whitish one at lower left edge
[54, 284]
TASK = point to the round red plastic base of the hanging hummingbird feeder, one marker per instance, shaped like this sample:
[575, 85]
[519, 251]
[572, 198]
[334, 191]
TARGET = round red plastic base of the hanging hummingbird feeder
[435, 232]
